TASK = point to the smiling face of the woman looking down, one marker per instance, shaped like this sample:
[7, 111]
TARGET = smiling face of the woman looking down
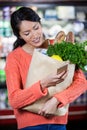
[31, 33]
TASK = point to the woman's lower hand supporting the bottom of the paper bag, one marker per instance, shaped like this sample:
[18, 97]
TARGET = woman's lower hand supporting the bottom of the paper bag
[49, 108]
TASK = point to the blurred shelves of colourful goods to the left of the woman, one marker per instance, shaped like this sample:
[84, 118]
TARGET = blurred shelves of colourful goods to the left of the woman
[6, 45]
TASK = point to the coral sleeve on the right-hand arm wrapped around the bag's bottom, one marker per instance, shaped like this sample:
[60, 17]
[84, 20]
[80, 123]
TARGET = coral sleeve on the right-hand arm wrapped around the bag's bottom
[78, 87]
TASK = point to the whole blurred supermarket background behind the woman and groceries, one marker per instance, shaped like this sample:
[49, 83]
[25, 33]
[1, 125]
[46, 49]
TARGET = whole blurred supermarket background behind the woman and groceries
[55, 16]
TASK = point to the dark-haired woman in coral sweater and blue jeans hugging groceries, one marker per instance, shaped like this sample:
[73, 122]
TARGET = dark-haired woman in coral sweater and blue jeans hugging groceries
[27, 28]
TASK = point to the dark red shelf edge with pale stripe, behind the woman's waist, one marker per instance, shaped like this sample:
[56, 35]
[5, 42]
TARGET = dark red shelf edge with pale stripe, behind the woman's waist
[75, 113]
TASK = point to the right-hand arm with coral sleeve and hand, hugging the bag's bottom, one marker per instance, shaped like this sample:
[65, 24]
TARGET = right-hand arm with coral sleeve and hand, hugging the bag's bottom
[78, 87]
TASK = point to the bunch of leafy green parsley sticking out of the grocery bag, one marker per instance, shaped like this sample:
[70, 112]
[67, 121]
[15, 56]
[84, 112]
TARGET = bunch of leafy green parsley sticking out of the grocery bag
[75, 53]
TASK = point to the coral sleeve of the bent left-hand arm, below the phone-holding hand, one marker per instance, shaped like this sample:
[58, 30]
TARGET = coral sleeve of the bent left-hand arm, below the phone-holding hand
[19, 97]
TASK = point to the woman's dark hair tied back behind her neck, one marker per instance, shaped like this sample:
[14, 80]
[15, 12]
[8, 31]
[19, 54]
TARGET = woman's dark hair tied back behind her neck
[23, 13]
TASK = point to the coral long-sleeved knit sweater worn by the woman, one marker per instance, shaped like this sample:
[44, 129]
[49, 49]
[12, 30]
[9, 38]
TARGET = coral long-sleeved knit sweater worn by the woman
[17, 64]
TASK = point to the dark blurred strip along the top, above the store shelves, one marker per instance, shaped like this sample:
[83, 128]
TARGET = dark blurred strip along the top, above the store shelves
[43, 3]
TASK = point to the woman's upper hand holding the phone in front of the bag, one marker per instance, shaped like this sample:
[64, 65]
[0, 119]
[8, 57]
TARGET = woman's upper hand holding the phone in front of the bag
[53, 79]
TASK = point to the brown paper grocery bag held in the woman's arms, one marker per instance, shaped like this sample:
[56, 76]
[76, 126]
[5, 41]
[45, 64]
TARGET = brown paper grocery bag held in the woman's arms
[41, 66]
